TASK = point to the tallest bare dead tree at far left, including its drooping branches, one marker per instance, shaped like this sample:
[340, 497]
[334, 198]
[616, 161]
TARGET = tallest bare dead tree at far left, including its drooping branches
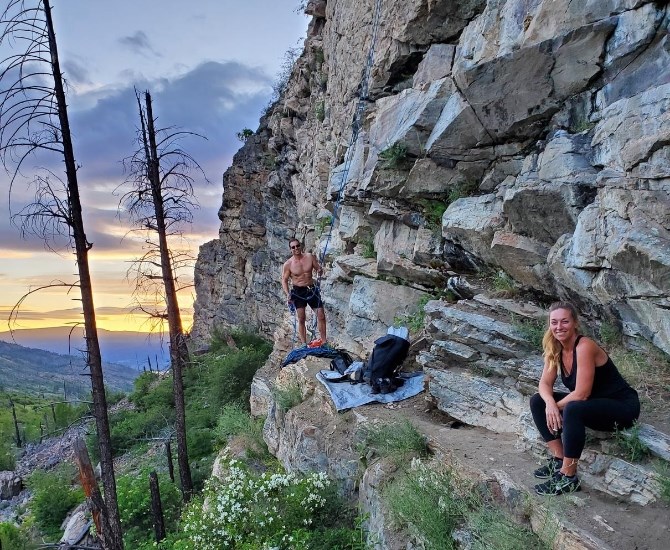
[34, 123]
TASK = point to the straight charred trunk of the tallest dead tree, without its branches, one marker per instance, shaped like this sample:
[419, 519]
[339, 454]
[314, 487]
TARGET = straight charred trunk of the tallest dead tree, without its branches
[114, 537]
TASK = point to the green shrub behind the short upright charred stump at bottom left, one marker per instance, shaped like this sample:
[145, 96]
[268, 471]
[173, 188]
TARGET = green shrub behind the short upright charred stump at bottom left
[134, 499]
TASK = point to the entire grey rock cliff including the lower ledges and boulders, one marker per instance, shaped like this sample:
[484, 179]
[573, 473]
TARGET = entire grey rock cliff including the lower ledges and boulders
[529, 139]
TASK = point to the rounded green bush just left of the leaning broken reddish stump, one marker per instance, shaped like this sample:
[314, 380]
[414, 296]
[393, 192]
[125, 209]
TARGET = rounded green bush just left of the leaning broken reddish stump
[53, 497]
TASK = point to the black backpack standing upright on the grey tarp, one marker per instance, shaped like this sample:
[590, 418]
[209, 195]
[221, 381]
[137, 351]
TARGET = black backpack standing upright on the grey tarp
[381, 370]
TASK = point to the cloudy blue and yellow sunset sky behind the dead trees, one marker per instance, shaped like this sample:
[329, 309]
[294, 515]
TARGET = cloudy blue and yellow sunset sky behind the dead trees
[209, 65]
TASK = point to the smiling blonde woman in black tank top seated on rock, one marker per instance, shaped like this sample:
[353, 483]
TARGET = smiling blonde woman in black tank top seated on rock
[599, 398]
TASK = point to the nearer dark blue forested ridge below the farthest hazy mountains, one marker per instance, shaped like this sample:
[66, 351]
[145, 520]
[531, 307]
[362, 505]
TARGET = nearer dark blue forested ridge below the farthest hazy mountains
[37, 371]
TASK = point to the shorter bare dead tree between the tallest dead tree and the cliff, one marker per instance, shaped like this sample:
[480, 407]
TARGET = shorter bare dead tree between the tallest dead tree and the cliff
[160, 202]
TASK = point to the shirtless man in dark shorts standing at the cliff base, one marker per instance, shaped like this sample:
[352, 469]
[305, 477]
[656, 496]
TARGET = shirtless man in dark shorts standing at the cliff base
[298, 268]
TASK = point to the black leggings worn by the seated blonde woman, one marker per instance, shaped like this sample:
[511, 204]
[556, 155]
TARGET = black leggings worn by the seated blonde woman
[599, 413]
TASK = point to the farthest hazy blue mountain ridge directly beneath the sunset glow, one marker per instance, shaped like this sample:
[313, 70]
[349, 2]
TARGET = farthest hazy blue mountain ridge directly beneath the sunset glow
[132, 349]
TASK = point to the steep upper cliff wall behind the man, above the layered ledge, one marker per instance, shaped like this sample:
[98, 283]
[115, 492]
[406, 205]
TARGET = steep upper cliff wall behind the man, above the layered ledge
[527, 136]
